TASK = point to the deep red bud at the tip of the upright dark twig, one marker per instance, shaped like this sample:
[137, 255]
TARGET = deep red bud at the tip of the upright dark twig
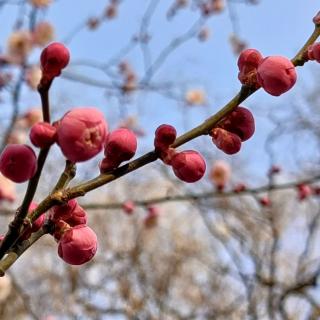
[54, 58]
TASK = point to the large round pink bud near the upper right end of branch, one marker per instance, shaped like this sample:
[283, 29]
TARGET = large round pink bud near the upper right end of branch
[276, 75]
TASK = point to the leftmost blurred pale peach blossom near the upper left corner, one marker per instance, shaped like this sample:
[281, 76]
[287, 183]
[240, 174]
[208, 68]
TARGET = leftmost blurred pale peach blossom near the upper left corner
[20, 44]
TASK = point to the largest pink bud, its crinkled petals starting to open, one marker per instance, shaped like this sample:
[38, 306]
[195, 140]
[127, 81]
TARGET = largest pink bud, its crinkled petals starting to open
[81, 133]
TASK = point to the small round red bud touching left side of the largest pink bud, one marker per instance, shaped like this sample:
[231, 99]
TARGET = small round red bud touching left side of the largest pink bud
[43, 134]
